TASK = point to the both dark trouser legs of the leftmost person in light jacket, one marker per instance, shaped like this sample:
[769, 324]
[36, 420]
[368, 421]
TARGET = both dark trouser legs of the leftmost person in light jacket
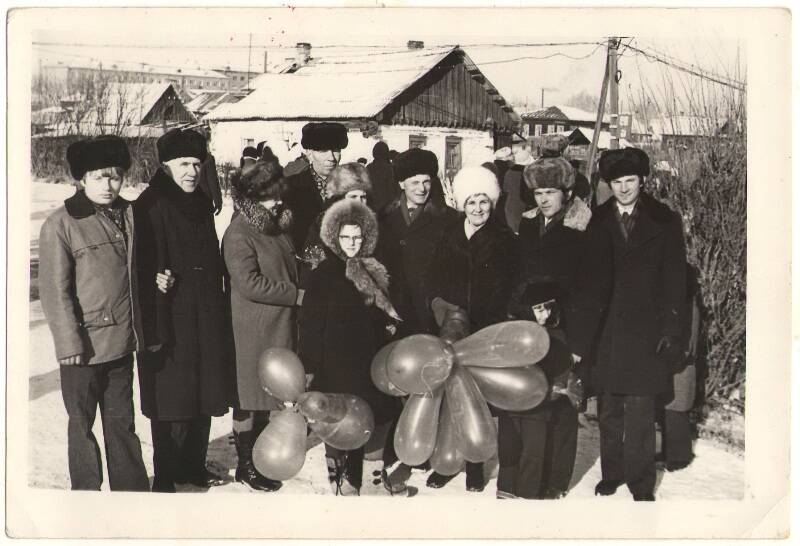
[108, 385]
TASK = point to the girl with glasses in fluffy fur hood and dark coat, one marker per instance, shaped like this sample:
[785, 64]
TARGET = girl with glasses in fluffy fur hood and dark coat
[345, 319]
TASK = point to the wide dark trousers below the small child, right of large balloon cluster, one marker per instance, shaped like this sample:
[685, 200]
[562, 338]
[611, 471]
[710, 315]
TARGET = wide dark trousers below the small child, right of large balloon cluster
[537, 456]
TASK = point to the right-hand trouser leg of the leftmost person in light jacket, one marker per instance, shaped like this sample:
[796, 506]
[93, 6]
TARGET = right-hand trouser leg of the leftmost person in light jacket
[126, 471]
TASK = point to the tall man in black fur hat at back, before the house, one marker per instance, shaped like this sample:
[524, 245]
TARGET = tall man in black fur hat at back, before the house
[323, 143]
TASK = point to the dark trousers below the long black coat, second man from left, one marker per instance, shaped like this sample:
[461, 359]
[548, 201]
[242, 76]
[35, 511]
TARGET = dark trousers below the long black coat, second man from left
[179, 449]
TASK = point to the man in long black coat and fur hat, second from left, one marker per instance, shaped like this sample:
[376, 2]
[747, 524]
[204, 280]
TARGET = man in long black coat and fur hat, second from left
[188, 380]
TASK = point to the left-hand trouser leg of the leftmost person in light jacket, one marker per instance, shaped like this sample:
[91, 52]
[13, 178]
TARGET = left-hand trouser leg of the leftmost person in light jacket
[81, 393]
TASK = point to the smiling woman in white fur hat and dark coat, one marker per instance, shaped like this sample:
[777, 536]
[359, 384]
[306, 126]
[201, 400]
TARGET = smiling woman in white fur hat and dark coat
[472, 270]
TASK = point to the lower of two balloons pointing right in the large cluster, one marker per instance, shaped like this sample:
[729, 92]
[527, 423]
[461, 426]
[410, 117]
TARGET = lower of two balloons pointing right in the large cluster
[512, 389]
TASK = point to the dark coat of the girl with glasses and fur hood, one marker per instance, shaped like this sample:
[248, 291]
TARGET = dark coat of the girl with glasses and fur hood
[339, 336]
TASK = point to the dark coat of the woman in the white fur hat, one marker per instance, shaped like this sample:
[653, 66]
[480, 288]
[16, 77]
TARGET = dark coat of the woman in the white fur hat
[475, 274]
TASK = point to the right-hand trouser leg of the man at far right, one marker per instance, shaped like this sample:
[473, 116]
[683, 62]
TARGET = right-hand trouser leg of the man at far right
[640, 444]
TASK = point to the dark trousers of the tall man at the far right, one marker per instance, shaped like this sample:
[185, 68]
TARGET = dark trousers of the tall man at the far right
[628, 440]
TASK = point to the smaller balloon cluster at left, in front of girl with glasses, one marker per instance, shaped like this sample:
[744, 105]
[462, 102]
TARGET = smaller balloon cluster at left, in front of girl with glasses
[343, 421]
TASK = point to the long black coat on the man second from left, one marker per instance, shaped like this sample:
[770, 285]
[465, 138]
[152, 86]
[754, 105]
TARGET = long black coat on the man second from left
[191, 376]
